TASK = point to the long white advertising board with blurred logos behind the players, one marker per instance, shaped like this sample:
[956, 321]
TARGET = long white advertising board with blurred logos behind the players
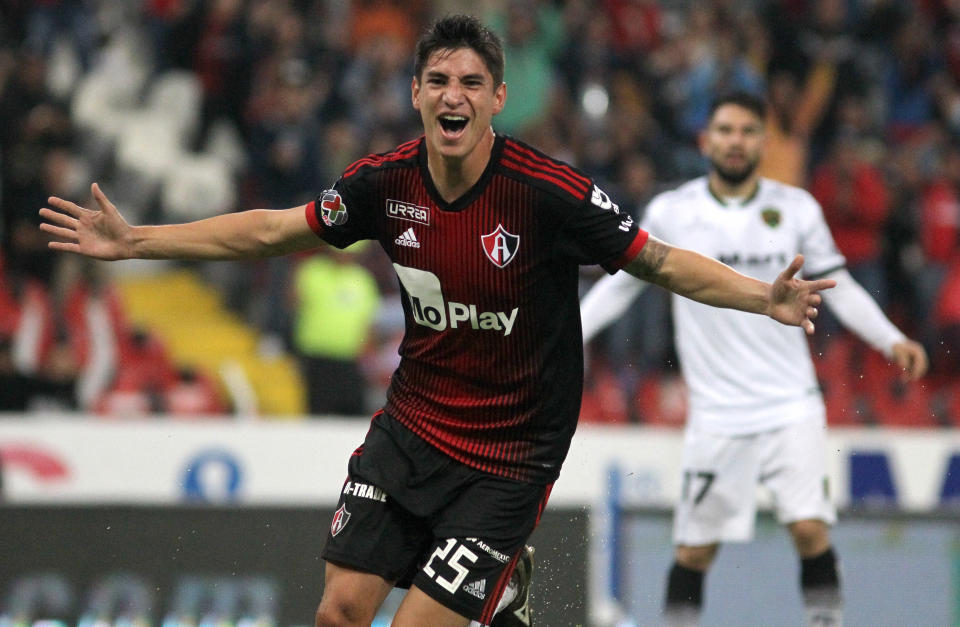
[161, 461]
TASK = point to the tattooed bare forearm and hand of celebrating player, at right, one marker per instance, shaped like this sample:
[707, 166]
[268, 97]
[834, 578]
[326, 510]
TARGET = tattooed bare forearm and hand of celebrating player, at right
[788, 300]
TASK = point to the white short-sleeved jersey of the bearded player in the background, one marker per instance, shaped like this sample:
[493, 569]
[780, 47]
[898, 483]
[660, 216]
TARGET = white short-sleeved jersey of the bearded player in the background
[745, 373]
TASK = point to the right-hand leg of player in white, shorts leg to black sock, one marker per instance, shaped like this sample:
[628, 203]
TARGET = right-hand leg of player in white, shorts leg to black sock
[796, 467]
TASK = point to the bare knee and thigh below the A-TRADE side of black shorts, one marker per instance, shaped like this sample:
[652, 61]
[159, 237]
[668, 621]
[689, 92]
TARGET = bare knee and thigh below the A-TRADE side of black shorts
[350, 597]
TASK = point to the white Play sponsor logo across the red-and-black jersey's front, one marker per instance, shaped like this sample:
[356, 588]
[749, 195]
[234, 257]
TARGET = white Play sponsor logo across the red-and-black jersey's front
[430, 309]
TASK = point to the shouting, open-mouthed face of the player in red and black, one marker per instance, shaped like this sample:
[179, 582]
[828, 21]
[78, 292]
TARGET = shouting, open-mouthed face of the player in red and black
[457, 100]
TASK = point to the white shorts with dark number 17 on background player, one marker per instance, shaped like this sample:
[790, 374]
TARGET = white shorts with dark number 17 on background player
[718, 500]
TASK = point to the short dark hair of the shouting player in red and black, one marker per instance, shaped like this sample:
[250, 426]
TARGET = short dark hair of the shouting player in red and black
[461, 31]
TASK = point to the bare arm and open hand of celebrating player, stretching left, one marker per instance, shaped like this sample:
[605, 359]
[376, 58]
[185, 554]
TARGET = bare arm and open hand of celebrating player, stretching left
[102, 233]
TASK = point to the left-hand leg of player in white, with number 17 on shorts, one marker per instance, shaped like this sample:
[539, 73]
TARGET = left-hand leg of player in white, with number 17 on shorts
[717, 504]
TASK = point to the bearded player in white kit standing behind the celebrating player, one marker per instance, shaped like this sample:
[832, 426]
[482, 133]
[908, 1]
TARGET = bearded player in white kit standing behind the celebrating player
[756, 414]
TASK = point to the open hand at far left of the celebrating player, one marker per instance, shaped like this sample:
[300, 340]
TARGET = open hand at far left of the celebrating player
[101, 234]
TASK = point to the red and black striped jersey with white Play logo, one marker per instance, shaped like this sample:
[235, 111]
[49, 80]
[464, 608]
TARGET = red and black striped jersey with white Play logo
[491, 363]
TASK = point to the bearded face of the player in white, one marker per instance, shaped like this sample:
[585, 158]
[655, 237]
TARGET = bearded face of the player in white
[733, 142]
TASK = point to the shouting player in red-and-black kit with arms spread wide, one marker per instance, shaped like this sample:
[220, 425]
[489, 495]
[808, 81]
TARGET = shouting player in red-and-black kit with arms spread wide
[486, 235]
